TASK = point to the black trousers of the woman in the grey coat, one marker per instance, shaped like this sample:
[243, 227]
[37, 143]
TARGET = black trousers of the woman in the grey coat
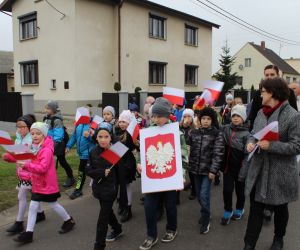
[256, 216]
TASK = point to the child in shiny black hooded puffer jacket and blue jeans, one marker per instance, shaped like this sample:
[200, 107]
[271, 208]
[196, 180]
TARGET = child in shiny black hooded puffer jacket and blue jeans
[206, 155]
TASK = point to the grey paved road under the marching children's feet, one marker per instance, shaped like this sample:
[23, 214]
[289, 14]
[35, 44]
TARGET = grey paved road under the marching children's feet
[85, 212]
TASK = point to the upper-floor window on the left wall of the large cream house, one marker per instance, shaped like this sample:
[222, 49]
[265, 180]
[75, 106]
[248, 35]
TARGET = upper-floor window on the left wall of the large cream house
[28, 26]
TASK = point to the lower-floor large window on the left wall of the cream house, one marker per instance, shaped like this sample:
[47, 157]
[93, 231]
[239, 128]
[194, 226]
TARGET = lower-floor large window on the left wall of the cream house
[29, 72]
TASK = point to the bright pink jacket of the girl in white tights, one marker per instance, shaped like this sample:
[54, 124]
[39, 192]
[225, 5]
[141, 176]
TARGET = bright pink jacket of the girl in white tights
[44, 178]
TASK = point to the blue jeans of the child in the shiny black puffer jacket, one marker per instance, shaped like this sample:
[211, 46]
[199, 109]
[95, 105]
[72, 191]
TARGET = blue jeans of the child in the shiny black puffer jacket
[203, 187]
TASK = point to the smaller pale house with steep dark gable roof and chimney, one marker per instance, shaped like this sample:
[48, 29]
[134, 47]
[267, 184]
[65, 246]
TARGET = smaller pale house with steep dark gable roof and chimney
[251, 60]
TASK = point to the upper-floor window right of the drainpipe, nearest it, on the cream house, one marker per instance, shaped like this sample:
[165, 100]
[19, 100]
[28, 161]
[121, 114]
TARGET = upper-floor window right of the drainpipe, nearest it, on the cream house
[157, 26]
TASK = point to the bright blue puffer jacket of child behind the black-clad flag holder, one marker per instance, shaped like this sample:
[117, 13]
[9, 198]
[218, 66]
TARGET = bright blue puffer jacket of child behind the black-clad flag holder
[84, 144]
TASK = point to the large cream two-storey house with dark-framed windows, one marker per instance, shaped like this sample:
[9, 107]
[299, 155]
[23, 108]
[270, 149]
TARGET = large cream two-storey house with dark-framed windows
[79, 52]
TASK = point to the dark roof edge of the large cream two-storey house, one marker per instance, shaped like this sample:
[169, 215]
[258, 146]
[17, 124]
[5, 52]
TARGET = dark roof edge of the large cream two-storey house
[6, 5]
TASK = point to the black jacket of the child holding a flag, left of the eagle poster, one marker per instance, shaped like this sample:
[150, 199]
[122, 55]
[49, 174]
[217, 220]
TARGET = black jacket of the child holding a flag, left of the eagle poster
[104, 188]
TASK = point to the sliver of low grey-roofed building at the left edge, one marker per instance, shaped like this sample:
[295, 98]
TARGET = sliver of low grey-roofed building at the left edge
[6, 72]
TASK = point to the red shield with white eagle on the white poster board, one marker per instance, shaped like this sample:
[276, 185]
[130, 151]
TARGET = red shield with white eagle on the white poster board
[160, 156]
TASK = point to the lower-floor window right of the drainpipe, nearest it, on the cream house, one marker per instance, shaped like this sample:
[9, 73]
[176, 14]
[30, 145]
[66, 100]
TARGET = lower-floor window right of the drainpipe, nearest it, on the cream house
[157, 72]
